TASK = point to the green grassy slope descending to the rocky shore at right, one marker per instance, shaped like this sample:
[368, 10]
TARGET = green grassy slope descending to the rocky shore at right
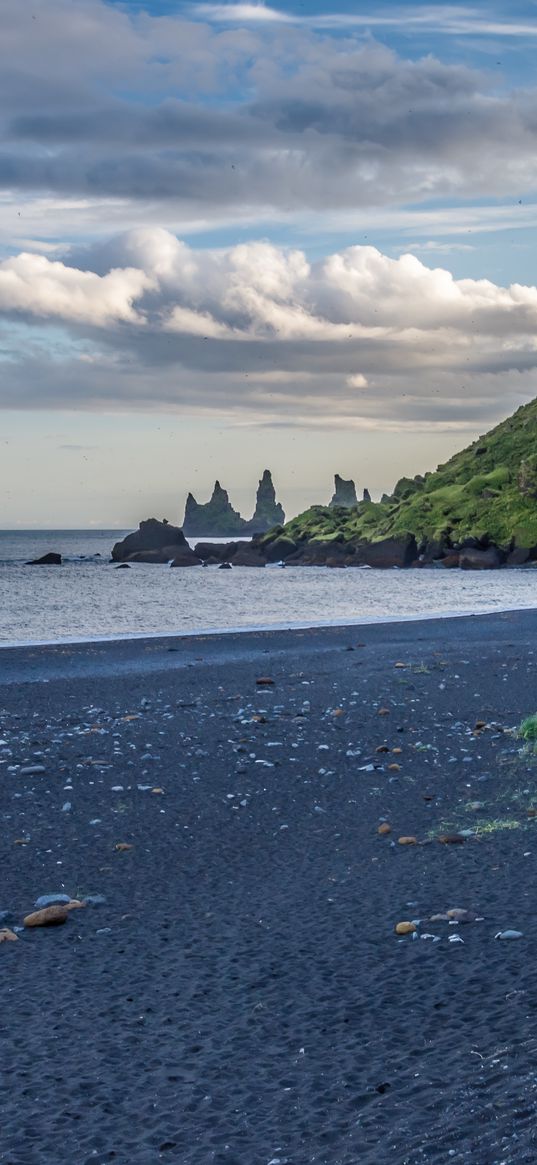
[487, 493]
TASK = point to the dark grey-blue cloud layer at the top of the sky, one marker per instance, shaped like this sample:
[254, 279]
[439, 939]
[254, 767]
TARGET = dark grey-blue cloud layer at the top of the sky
[320, 122]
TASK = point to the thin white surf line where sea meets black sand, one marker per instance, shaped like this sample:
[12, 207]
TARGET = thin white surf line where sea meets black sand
[260, 629]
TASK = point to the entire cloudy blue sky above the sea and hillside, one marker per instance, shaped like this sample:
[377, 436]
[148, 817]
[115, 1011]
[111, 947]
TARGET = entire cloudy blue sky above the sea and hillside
[239, 236]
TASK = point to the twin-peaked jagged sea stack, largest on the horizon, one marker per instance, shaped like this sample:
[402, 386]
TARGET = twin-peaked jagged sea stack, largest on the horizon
[217, 519]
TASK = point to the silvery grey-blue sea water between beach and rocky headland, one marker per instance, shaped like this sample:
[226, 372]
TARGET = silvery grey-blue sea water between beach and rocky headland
[87, 598]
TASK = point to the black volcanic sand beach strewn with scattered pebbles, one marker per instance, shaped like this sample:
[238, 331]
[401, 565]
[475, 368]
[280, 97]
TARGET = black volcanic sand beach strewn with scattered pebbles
[242, 998]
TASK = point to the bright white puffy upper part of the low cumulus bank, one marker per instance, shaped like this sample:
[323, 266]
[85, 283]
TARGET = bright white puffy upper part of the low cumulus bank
[257, 291]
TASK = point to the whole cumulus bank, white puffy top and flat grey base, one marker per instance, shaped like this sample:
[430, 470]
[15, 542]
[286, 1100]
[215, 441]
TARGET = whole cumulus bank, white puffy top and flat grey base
[258, 331]
